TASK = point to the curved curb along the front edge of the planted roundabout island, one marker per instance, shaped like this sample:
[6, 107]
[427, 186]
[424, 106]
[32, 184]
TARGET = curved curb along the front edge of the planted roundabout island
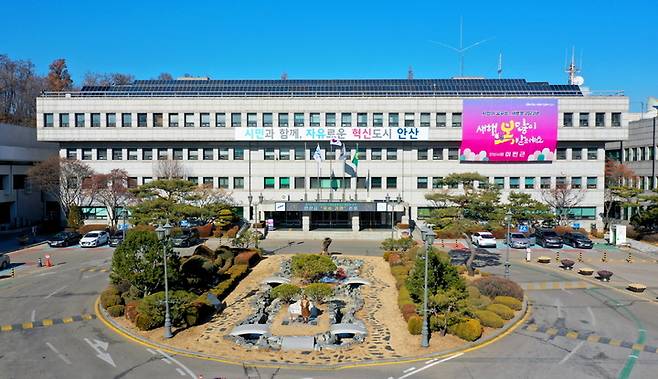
[514, 324]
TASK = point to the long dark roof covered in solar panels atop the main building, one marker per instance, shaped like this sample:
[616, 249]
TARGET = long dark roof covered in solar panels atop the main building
[459, 87]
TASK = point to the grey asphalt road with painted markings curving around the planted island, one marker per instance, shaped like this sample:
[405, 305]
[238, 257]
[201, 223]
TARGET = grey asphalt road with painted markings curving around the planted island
[80, 348]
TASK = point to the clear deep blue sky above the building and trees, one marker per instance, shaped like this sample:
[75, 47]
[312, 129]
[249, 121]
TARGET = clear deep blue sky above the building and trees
[618, 40]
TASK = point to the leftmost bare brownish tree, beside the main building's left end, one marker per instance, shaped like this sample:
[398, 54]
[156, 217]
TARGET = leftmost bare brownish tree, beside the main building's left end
[64, 180]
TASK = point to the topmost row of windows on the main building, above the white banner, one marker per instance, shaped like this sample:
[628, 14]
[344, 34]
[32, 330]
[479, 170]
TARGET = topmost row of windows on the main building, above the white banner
[344, 119]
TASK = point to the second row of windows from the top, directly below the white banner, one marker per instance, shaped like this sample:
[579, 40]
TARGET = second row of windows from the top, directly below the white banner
[298, 153]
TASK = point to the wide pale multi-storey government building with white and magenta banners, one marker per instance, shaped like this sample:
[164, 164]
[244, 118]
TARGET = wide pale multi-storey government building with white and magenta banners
[258, 140]
